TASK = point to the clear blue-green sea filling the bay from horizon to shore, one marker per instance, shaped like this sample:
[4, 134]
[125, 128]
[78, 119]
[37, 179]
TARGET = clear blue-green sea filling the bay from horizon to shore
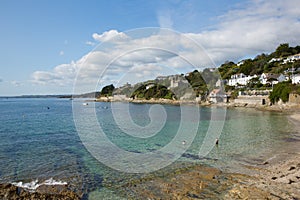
[96, 147]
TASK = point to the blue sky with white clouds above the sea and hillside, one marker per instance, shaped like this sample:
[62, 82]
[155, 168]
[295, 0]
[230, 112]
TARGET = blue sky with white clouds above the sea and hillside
[75, 46]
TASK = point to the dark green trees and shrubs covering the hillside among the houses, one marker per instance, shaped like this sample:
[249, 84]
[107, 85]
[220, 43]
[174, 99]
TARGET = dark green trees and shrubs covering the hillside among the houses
[202, 82]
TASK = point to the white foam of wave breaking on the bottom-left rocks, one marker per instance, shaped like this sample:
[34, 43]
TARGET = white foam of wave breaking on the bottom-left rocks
[33, 185]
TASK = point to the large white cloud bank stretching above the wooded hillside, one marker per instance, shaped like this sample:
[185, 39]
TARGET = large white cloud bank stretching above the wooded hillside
[260, 26]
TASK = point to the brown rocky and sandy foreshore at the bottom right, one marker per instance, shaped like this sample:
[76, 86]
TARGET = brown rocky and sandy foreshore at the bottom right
[277, 181]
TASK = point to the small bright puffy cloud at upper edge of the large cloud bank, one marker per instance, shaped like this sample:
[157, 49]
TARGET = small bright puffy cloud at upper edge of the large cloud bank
[112, 35]
